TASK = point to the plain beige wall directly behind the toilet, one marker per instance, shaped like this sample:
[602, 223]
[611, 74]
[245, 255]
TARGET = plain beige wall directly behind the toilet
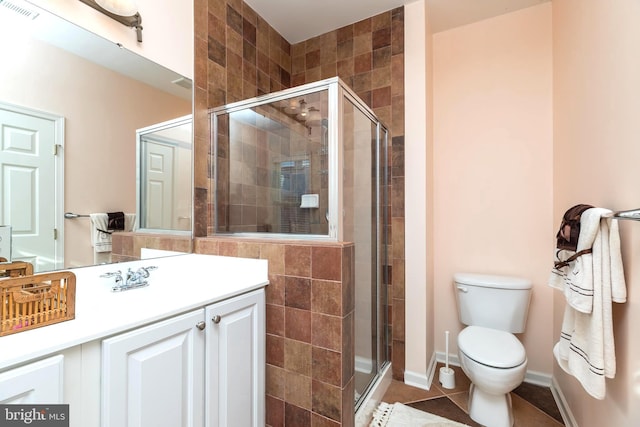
[493, 164]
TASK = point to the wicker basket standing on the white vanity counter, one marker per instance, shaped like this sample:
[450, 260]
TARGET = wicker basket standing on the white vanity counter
[30, 302]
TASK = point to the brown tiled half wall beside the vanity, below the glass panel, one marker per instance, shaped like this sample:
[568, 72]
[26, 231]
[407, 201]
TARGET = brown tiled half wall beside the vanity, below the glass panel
[310, 328]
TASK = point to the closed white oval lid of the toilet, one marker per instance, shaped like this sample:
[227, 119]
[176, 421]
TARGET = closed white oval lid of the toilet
[491, 347]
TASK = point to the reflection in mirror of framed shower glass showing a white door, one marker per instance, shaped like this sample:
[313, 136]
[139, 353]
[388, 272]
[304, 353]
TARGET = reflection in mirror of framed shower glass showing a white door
[164, 169]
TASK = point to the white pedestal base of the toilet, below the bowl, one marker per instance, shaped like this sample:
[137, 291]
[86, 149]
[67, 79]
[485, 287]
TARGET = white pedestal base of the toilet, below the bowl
[491, 410]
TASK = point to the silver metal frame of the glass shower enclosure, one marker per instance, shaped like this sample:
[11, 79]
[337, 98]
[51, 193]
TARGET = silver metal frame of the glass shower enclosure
[337, 90]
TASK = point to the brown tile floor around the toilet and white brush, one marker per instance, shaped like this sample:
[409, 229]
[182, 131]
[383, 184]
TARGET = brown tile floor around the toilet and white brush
[533, 406]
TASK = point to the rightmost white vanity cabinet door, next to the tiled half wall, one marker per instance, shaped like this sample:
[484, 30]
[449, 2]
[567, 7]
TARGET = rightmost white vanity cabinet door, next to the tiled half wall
[235, 362]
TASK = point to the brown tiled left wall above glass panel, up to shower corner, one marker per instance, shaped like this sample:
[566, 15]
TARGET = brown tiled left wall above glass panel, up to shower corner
[238, 55]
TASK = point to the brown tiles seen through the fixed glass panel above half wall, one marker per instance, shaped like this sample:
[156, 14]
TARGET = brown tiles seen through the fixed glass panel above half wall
[252, 150]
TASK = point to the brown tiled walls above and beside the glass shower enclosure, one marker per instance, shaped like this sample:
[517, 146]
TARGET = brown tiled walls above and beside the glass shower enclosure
[238, 55]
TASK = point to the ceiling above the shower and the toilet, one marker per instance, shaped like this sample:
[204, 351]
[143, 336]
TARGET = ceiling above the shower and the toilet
[299, 20]
